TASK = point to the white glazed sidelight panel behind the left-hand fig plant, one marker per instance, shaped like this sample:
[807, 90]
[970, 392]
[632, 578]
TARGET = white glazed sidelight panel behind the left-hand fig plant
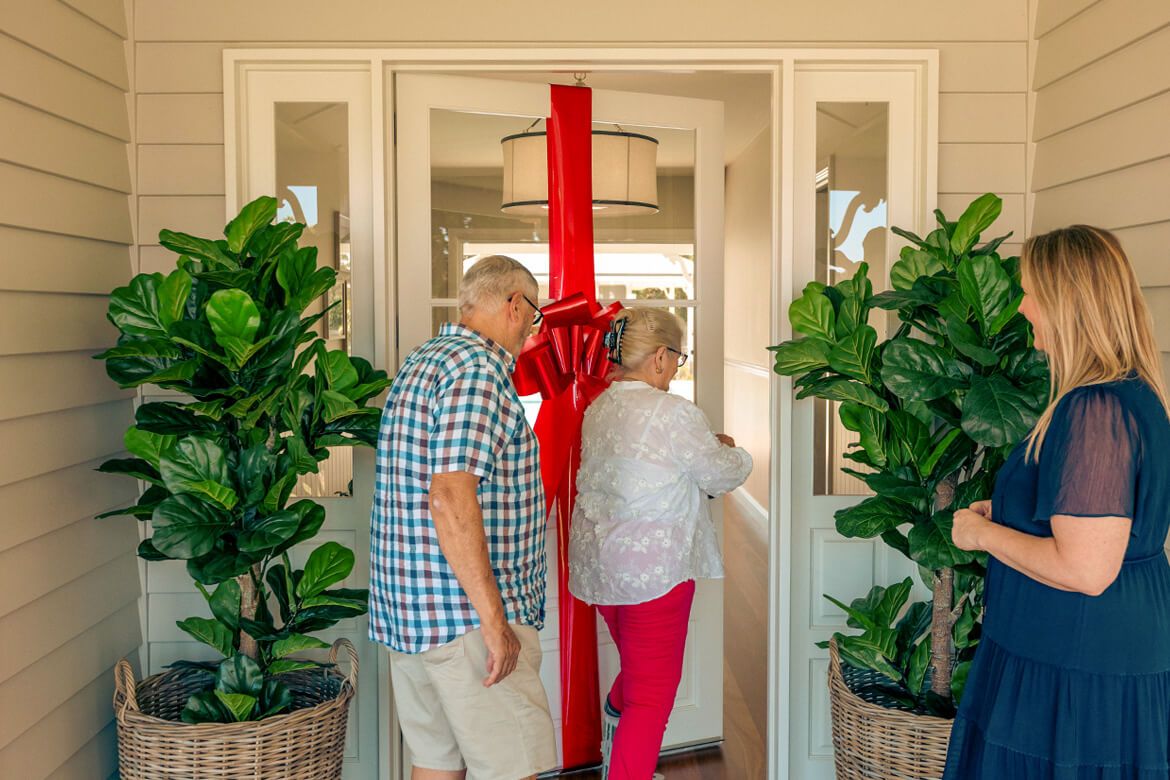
[305, 136]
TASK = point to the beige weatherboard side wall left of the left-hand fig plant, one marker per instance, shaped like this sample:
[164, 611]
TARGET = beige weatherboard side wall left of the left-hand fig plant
[71, 583]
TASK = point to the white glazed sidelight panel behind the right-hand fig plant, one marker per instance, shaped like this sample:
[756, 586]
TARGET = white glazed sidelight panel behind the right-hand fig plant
[861, 164]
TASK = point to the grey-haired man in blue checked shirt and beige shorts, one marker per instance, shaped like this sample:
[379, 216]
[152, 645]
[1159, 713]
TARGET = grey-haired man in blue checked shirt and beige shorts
[458, 569]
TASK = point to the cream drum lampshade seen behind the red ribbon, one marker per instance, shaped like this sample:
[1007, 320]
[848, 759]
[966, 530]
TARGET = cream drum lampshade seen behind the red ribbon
[625, 175]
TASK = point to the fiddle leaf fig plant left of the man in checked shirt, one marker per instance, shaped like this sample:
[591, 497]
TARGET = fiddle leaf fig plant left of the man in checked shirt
[264, 402]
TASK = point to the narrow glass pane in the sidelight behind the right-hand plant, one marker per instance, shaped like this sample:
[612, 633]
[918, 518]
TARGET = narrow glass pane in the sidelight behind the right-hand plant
[851, 185]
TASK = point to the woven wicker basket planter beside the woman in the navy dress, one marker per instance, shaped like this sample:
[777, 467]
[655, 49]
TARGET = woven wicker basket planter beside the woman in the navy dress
[872, 742]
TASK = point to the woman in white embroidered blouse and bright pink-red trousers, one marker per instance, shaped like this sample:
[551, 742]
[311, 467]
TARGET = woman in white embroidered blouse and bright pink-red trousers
[642, 534]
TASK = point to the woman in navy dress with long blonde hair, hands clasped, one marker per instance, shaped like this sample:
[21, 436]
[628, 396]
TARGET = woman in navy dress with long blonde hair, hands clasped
[1072, 677]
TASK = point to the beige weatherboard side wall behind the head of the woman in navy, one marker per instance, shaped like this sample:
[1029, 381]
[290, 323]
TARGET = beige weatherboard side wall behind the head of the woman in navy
[1103, 151]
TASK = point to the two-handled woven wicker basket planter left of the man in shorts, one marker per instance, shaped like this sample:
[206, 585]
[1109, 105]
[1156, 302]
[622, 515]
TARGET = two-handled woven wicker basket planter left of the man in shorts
[308, 743]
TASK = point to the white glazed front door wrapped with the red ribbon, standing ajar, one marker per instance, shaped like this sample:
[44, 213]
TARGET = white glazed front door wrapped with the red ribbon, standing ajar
[449, 195]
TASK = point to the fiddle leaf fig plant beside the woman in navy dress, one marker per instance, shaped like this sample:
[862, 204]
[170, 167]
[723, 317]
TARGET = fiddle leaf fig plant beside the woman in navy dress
[937, 409]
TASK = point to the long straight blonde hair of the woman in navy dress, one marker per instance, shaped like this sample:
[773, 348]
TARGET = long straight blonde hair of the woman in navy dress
[1097, 326]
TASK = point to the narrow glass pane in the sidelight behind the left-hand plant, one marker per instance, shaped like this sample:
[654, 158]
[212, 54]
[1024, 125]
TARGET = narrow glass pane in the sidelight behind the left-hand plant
[313, 187]
